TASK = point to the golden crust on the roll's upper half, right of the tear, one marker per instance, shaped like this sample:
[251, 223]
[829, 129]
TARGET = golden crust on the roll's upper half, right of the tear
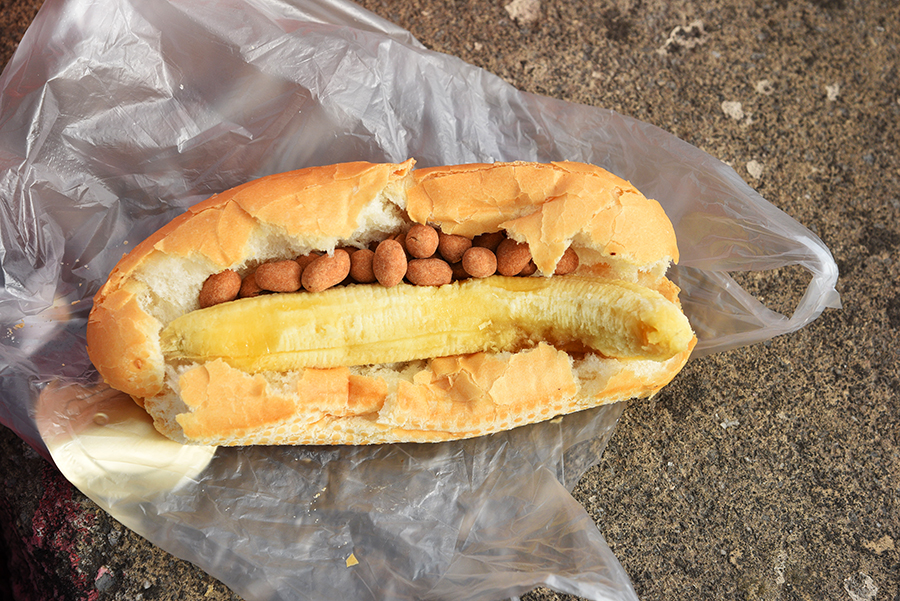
[547, 206]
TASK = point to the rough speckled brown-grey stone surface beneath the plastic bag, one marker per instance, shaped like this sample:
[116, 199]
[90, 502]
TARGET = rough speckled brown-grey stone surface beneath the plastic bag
[769, 472]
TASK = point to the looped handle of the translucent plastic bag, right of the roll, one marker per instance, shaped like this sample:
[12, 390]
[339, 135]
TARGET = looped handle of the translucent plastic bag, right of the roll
[723, 314]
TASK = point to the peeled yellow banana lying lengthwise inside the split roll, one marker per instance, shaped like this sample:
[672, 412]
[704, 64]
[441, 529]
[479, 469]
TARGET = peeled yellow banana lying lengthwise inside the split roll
[369, 324]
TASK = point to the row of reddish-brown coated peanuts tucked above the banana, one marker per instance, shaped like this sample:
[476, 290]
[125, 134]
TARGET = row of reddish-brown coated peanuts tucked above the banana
[423, 256]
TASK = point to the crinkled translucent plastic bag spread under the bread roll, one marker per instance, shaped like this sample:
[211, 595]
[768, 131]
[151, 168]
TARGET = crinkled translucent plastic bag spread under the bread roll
[117, 115]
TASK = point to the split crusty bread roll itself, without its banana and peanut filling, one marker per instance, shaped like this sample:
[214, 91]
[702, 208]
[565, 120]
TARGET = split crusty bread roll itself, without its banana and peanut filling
[617, 232]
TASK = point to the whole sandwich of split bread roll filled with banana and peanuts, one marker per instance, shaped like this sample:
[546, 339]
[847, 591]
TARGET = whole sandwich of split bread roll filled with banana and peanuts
[364, 363]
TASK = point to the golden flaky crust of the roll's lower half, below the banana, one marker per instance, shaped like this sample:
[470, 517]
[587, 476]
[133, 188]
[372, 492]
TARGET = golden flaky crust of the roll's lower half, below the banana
[453, 397]
